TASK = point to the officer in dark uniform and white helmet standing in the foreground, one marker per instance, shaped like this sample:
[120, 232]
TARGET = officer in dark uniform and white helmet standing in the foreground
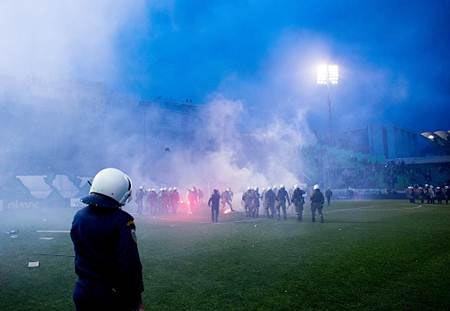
[106, 254]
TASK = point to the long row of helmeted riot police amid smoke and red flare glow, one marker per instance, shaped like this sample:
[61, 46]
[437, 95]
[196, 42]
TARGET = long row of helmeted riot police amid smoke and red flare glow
[271, 202]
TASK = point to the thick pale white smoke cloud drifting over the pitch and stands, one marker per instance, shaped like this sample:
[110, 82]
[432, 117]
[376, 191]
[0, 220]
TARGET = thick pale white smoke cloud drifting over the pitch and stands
[60, 116]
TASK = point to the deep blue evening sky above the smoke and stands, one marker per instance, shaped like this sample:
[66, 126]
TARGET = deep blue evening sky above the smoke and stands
[396, 53]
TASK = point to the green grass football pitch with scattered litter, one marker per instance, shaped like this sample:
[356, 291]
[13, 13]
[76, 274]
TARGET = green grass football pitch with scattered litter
[373, 255]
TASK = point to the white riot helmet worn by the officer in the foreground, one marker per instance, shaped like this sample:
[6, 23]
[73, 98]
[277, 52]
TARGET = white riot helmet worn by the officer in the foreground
[112, 183]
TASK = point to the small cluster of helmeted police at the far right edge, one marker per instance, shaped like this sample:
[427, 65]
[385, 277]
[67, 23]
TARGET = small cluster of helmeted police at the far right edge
[428, 194]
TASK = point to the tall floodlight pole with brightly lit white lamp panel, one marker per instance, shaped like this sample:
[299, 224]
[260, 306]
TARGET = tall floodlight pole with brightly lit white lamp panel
[328, 74]
